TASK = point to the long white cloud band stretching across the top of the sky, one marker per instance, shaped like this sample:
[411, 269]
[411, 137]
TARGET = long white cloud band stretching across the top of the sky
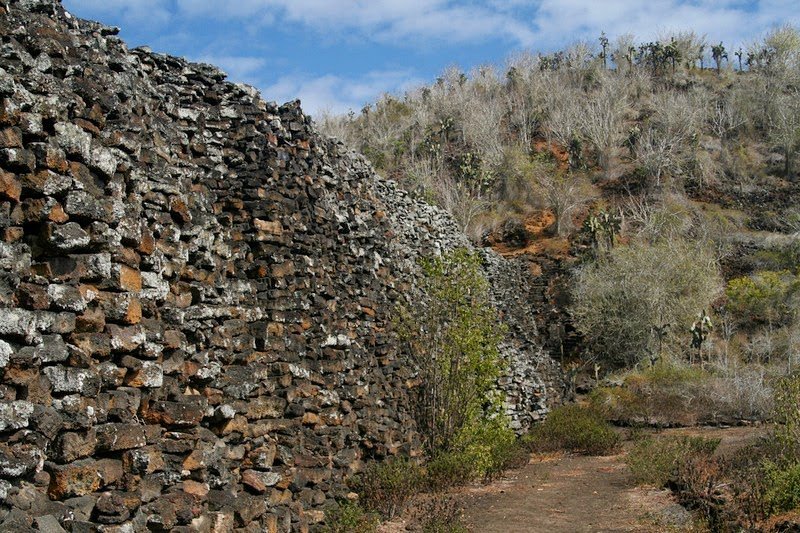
[540, 24]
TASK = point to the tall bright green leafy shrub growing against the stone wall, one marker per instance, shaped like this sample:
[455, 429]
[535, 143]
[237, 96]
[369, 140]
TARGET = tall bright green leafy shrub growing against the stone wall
[452, 336]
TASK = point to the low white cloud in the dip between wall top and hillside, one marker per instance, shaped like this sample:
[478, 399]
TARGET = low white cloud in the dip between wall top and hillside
[337, 94]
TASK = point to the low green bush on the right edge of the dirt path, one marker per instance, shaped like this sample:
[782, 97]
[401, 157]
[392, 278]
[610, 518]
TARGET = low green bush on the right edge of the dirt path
[655, 461]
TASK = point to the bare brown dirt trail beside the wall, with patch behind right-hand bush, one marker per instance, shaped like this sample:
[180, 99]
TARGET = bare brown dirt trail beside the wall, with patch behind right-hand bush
[580, 494]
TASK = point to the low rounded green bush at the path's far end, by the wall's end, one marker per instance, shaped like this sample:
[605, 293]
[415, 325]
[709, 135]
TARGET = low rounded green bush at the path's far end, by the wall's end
[574, 428]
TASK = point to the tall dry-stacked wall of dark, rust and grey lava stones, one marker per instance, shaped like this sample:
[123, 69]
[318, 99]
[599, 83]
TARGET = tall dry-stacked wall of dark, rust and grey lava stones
[196, 293]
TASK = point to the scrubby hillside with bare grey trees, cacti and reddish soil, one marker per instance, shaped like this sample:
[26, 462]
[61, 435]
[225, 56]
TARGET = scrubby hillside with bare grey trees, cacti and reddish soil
[563, 161]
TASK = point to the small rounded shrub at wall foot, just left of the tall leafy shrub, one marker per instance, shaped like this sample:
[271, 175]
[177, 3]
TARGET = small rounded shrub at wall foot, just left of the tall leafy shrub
[386, 487]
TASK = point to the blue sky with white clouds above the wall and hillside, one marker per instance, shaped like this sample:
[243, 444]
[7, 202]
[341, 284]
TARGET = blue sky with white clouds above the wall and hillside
[340, 54]
